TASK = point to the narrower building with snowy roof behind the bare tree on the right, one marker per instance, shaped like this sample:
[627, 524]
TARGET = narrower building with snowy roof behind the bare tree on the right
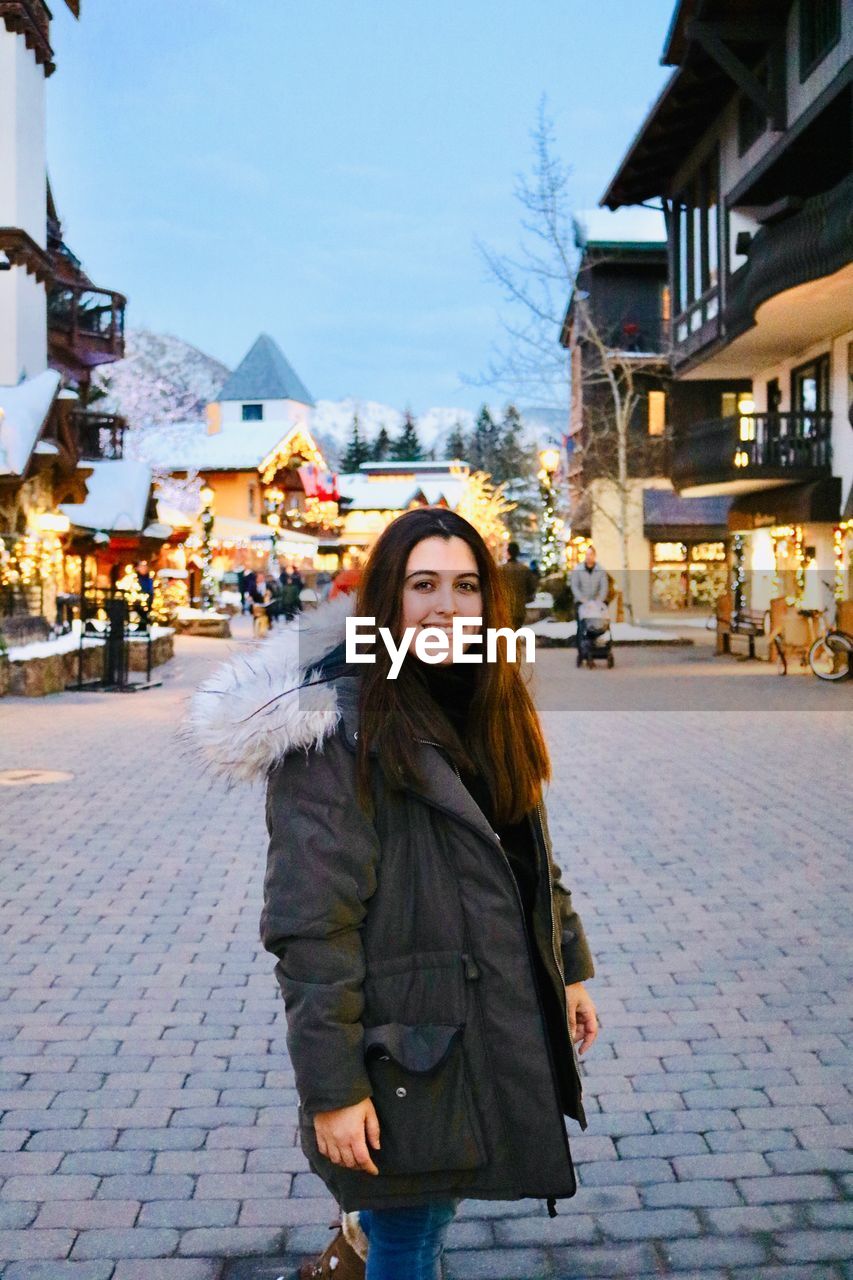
[618, 327]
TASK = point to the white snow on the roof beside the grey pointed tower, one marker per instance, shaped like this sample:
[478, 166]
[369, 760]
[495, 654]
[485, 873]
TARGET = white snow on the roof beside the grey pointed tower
[188, 446]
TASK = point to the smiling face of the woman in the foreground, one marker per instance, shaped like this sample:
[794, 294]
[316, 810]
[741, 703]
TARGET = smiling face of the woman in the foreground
[443, 582]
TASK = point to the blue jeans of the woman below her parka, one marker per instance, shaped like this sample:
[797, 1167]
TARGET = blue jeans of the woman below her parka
[407, 1244]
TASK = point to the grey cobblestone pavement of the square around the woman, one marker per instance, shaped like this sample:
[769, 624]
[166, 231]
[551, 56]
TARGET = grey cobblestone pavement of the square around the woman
[147, 1101]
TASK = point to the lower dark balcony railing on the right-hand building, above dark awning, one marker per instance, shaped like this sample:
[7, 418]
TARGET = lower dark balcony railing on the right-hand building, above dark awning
[737, 451]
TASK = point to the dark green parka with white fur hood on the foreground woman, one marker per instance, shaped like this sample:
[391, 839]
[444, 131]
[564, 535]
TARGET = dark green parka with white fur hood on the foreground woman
[403, 956]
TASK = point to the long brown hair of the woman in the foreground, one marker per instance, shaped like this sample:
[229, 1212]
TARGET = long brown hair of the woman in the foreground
[505, 740]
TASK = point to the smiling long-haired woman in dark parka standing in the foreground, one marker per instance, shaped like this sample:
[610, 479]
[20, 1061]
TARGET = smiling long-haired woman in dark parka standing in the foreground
[428, 954]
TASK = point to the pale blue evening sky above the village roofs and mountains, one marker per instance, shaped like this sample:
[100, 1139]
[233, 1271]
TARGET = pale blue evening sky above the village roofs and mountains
[320, 170]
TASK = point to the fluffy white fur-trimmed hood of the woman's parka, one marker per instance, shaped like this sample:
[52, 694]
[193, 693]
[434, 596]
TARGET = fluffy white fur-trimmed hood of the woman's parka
[262, 705]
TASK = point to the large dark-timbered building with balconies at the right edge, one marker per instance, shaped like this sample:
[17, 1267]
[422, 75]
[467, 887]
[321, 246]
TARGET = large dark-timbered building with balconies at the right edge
[750, 149]
